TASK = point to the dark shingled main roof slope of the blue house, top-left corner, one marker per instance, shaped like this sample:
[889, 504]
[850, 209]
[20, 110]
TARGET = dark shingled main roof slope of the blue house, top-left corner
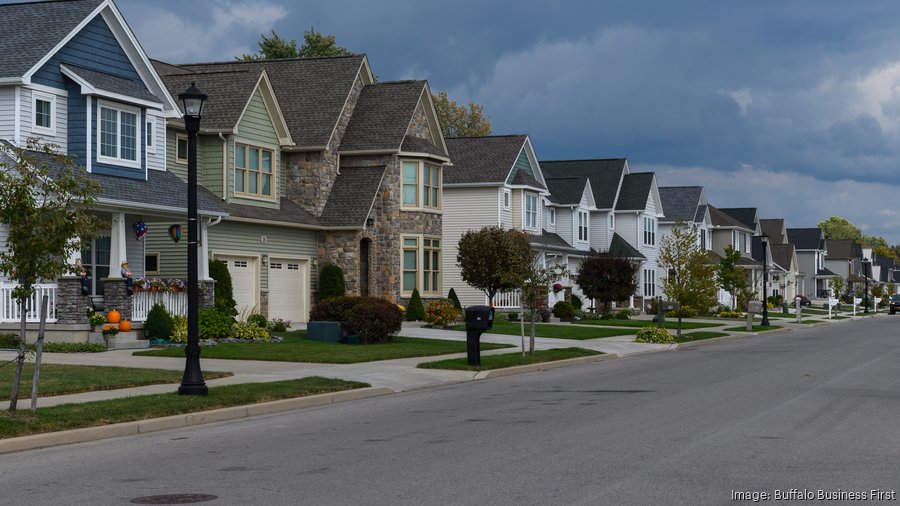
[41, 25]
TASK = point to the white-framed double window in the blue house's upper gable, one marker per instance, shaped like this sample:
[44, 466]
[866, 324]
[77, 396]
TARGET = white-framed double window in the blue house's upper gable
[117, 131]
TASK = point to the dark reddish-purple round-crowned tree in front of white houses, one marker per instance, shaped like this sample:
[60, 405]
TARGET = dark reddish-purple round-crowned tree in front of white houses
[607, 277]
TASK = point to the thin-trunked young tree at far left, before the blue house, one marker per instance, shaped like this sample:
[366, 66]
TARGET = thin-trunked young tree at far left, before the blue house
[45, 202]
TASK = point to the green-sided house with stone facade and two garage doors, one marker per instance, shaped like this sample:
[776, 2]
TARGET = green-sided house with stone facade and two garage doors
[315, 163]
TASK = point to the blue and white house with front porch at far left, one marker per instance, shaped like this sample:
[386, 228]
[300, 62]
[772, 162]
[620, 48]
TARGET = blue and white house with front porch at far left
[74, 75]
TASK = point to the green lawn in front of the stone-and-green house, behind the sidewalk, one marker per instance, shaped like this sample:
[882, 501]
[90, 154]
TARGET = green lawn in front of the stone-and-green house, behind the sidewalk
[296, 348]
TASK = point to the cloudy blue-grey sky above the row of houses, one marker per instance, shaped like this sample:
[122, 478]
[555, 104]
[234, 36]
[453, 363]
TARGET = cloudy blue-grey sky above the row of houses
[790, 107]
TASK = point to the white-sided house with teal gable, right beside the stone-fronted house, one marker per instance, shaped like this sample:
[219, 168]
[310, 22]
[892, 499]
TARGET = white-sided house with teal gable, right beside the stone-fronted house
[494, 181]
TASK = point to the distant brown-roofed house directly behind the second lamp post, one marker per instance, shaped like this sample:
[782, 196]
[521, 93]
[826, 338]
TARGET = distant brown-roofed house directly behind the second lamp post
[785, 275]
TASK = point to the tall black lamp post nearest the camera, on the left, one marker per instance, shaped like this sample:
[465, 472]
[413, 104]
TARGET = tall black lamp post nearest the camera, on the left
[192, 382]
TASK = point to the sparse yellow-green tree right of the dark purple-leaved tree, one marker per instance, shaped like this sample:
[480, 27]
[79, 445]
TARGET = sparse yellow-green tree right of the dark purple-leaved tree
[694, 282]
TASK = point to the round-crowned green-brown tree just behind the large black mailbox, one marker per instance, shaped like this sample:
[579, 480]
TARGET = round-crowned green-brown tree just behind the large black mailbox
[493, 259]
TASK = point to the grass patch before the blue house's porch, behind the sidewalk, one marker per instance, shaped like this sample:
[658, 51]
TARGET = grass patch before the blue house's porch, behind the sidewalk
[60, 379]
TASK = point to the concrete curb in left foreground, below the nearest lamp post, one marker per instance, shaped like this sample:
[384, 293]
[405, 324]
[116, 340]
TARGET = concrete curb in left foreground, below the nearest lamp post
[180, 421]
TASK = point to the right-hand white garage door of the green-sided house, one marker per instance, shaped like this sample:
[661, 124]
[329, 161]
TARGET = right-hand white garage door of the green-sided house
[288, 290]
